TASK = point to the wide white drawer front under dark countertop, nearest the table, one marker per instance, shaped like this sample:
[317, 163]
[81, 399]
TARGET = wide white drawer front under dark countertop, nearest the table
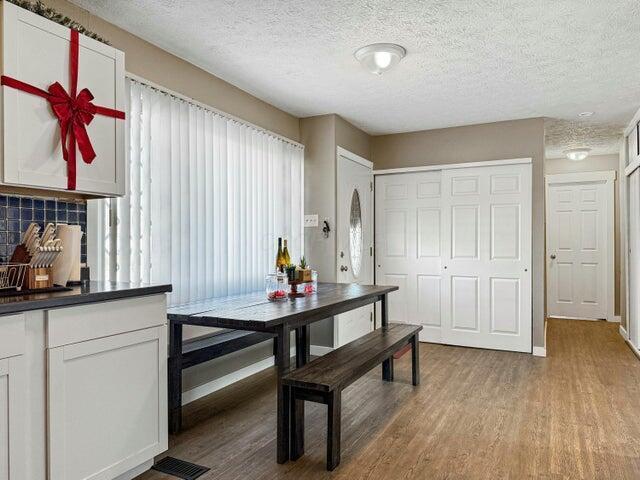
[96, 320]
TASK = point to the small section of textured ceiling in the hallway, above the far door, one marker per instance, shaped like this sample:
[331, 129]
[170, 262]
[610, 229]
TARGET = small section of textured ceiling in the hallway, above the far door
[561, 135]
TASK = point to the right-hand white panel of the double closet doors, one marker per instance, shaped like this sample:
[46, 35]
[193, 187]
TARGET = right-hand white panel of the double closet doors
[487, 263]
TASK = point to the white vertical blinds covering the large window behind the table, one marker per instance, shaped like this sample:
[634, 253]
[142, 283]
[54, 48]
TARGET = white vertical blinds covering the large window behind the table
[207, 198]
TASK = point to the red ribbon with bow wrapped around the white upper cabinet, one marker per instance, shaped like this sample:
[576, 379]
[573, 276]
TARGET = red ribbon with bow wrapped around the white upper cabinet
[73, 110]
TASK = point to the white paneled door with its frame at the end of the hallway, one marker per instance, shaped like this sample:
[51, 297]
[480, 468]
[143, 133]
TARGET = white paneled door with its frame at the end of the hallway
[580, 245]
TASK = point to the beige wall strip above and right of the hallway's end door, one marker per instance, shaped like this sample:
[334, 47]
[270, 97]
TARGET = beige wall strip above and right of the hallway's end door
[597, 163]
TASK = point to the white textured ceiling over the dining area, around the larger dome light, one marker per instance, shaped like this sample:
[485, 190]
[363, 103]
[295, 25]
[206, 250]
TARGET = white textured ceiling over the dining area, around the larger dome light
[468, 61]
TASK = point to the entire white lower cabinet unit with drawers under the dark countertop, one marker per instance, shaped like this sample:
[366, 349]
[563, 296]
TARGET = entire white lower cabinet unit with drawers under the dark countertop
[83, 390]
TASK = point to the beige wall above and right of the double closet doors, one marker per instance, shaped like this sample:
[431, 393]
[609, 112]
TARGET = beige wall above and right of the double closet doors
[476, 143]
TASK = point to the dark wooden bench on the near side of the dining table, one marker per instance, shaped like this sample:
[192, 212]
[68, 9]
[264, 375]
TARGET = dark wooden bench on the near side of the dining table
[323, 380]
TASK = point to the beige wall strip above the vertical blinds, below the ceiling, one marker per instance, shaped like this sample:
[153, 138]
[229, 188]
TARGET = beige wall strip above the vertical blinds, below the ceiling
[167, 70]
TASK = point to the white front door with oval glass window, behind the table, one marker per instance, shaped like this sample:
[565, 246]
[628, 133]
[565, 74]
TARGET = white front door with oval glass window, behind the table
[354, 240]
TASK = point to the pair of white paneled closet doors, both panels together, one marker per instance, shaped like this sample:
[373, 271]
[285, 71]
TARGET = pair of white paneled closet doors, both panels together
[458, 244]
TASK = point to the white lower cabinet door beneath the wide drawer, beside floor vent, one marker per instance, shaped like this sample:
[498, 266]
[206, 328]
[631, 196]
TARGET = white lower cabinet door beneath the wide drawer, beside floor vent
[107, 405]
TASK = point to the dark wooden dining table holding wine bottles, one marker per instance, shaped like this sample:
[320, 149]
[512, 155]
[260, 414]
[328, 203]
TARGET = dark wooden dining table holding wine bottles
[254, 312]
